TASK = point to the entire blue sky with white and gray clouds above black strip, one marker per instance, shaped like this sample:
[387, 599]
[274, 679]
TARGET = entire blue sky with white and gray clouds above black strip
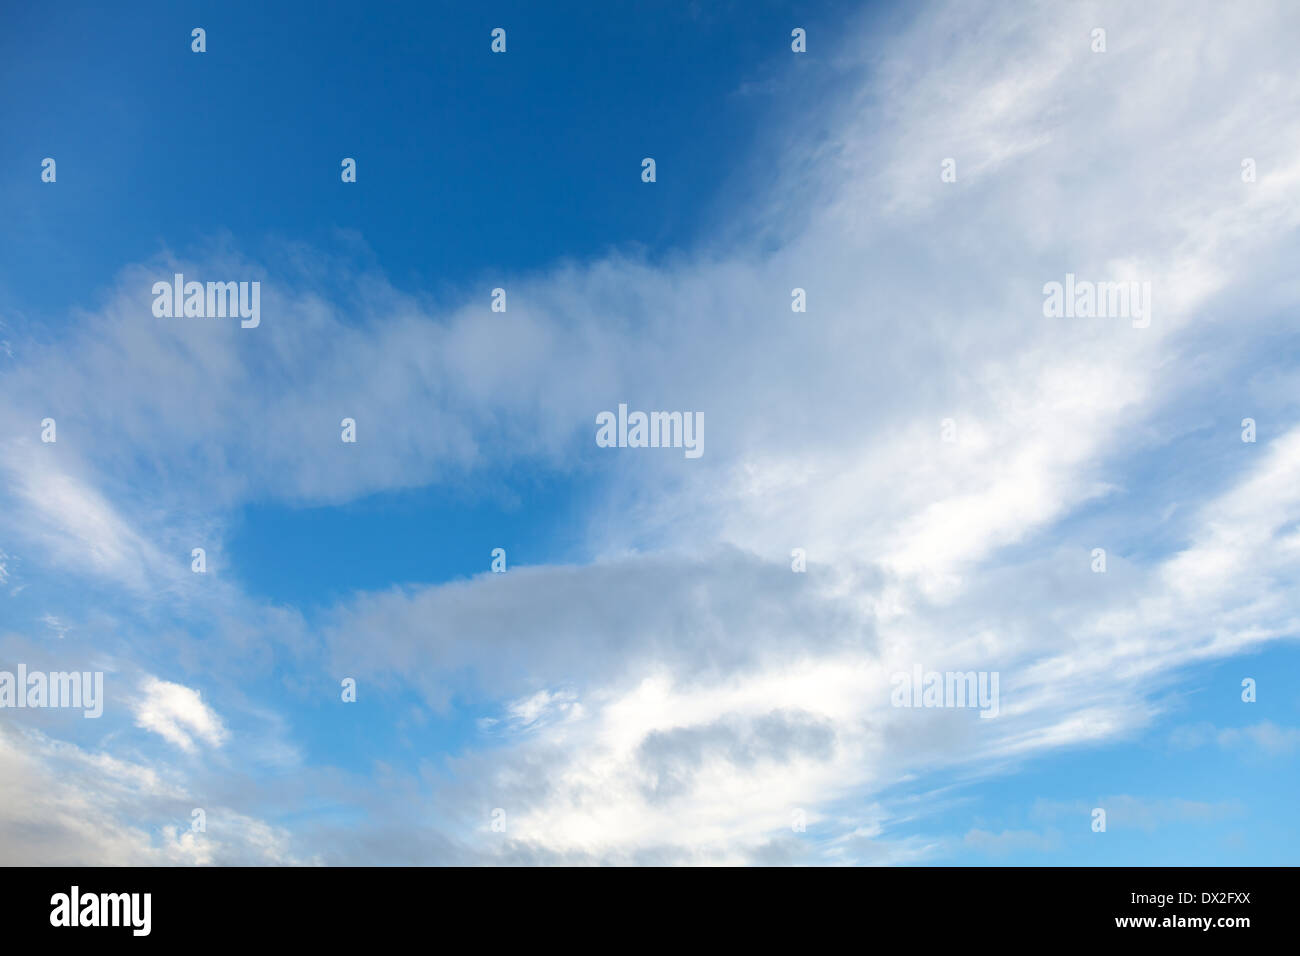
[649, 682]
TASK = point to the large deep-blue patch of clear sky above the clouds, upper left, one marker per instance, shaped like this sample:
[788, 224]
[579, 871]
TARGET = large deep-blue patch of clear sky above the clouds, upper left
[512, 157]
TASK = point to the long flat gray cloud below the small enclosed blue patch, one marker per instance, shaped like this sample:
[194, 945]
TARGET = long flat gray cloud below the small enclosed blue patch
[548, 626]
